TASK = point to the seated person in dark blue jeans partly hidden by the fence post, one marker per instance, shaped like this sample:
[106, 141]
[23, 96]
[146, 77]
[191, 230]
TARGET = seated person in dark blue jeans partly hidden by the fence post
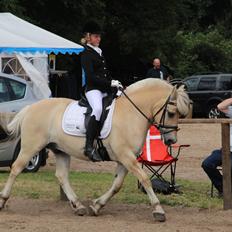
[214, 160]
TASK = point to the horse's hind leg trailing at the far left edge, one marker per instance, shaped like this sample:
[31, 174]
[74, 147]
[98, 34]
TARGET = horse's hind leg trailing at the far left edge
[17, 168]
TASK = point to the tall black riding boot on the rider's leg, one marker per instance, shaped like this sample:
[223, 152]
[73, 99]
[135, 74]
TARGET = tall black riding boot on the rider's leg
[91, 134]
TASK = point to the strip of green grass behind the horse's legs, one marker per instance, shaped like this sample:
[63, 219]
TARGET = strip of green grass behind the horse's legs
[91, 185]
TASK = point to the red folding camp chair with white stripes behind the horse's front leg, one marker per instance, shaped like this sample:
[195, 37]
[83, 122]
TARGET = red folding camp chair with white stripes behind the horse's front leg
[157, 158]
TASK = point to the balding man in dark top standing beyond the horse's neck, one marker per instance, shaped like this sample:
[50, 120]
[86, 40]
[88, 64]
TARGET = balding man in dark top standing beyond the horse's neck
[158, 71]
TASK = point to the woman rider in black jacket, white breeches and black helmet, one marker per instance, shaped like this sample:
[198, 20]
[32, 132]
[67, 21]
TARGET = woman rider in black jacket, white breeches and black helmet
[98, 83]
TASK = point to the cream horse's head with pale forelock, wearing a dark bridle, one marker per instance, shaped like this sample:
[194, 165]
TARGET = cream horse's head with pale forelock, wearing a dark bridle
[177, 105]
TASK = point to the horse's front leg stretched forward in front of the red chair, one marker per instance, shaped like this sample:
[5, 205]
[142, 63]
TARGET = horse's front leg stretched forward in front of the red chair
[129, 161]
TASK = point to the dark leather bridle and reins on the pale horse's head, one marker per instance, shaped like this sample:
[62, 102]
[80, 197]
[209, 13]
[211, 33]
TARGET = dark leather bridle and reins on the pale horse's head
[152, 121]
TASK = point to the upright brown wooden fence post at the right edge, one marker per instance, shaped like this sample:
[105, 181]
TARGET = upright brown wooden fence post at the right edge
[226, 166]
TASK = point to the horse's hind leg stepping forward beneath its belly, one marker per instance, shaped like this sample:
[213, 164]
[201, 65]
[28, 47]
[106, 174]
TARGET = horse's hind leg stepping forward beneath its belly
[62, 169]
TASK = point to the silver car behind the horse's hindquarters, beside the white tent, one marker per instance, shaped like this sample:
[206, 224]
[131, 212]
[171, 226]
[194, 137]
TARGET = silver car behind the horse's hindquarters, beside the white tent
[15, 93]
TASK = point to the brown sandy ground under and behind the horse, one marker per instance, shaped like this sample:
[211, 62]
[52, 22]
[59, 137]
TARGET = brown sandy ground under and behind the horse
[48, 215]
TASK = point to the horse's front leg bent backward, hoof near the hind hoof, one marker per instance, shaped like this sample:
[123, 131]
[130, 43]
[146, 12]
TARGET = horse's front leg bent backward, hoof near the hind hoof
[120, 174]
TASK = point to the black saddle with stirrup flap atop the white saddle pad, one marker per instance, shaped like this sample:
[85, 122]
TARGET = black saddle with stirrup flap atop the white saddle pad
[106, 102]
